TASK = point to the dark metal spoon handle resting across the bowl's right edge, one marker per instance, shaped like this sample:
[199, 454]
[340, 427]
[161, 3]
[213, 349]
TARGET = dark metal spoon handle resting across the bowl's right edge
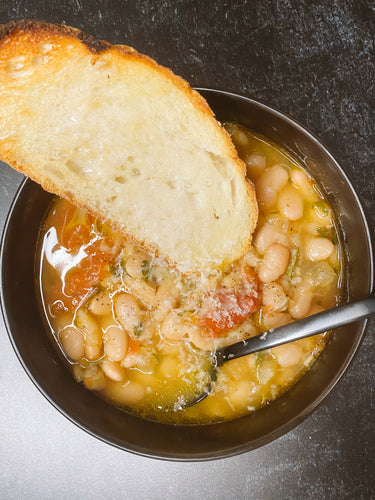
[312, 325]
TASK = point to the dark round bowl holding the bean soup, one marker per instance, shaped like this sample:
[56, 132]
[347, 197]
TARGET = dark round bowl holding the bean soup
[46, 369]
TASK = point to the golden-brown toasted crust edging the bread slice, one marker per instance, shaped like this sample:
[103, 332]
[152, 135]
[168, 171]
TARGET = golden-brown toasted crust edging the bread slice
[26, 35]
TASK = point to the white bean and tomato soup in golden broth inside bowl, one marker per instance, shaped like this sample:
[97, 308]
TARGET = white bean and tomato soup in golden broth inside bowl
[142, 335]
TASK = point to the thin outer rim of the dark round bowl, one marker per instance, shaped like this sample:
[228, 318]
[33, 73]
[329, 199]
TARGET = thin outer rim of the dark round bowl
[260, 441]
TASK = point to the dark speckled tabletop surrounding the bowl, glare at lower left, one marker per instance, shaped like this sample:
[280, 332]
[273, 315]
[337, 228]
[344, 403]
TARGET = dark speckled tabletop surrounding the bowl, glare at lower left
[313, 60]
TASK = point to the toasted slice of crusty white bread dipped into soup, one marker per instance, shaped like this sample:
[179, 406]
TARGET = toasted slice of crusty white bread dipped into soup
[113, 132]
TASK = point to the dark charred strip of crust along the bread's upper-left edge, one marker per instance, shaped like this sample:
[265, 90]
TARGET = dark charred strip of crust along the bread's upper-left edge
[92, 43]
